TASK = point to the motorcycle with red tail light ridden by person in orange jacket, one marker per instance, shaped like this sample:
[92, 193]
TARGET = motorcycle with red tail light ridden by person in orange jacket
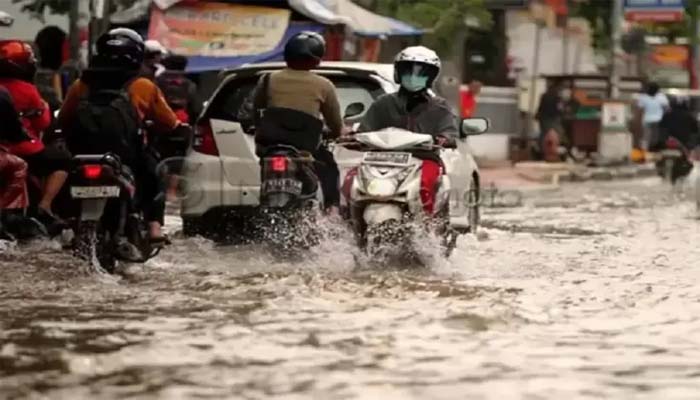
[109, 227]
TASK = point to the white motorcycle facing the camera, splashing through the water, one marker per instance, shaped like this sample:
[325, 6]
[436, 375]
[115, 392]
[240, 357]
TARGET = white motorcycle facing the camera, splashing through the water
[385, 193]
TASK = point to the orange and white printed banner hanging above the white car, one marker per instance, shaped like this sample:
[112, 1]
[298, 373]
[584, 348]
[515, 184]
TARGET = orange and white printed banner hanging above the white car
[218, 29]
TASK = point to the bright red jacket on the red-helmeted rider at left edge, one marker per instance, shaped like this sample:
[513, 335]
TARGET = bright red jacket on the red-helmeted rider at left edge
[28, 100]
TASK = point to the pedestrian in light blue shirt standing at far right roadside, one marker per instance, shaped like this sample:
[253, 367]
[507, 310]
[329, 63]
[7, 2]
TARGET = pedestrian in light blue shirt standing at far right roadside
[653, 105]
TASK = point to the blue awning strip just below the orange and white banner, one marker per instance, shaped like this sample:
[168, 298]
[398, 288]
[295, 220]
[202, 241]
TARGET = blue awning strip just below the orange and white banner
[200, 64]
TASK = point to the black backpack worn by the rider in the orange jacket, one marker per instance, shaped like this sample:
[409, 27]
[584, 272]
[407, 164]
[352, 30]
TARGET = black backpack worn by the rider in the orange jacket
[107, 122]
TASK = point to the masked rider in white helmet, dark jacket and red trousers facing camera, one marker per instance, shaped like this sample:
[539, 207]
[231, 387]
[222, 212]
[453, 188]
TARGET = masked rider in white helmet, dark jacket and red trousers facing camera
[415, 107]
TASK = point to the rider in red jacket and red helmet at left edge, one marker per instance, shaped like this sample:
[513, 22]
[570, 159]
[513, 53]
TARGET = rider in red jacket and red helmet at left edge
[48, 161]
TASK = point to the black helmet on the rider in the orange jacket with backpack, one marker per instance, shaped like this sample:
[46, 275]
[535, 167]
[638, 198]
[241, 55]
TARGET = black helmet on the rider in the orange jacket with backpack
[122, 48]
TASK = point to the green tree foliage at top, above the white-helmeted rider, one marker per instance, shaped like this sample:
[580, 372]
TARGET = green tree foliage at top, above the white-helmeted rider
[443, 19]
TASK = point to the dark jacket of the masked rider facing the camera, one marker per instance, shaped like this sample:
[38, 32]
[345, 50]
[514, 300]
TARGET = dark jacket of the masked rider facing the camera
[419, 113]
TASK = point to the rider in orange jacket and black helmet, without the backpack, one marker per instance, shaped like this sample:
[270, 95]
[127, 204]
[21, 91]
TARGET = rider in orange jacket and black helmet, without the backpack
[116, 66]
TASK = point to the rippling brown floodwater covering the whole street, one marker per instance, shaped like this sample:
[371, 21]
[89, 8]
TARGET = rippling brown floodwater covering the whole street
[589, 292]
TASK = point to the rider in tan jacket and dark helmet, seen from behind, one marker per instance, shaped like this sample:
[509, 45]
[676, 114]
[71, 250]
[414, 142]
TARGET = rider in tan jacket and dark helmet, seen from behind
[296, 96]
